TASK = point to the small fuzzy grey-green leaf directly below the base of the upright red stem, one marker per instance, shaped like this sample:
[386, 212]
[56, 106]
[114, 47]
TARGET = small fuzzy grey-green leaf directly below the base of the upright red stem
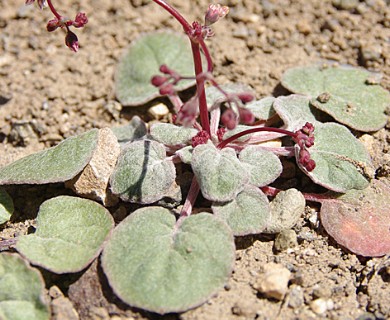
[220, 174]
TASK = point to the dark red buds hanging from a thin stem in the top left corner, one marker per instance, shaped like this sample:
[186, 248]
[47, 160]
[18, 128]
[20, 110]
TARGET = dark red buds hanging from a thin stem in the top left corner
[59, 21]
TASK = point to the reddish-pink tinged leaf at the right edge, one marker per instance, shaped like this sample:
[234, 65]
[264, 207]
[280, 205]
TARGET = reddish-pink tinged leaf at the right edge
[360, 220]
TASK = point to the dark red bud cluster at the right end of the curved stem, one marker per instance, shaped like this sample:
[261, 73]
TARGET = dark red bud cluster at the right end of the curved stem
[305, 139]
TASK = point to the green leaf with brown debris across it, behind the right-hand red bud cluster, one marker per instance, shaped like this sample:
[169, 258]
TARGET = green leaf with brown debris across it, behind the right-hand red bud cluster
[342, 162]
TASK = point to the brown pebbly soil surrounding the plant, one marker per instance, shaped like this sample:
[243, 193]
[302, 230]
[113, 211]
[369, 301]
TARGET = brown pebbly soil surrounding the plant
[48, 93]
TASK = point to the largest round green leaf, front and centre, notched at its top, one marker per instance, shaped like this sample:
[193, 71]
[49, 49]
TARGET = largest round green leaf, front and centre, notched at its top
[152, 262]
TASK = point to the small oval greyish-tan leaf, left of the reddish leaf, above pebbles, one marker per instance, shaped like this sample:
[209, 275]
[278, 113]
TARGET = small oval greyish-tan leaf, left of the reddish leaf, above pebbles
[286, 208]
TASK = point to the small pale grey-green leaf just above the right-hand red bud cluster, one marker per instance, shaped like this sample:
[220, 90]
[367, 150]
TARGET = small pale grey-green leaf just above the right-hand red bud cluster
[295, 110]
